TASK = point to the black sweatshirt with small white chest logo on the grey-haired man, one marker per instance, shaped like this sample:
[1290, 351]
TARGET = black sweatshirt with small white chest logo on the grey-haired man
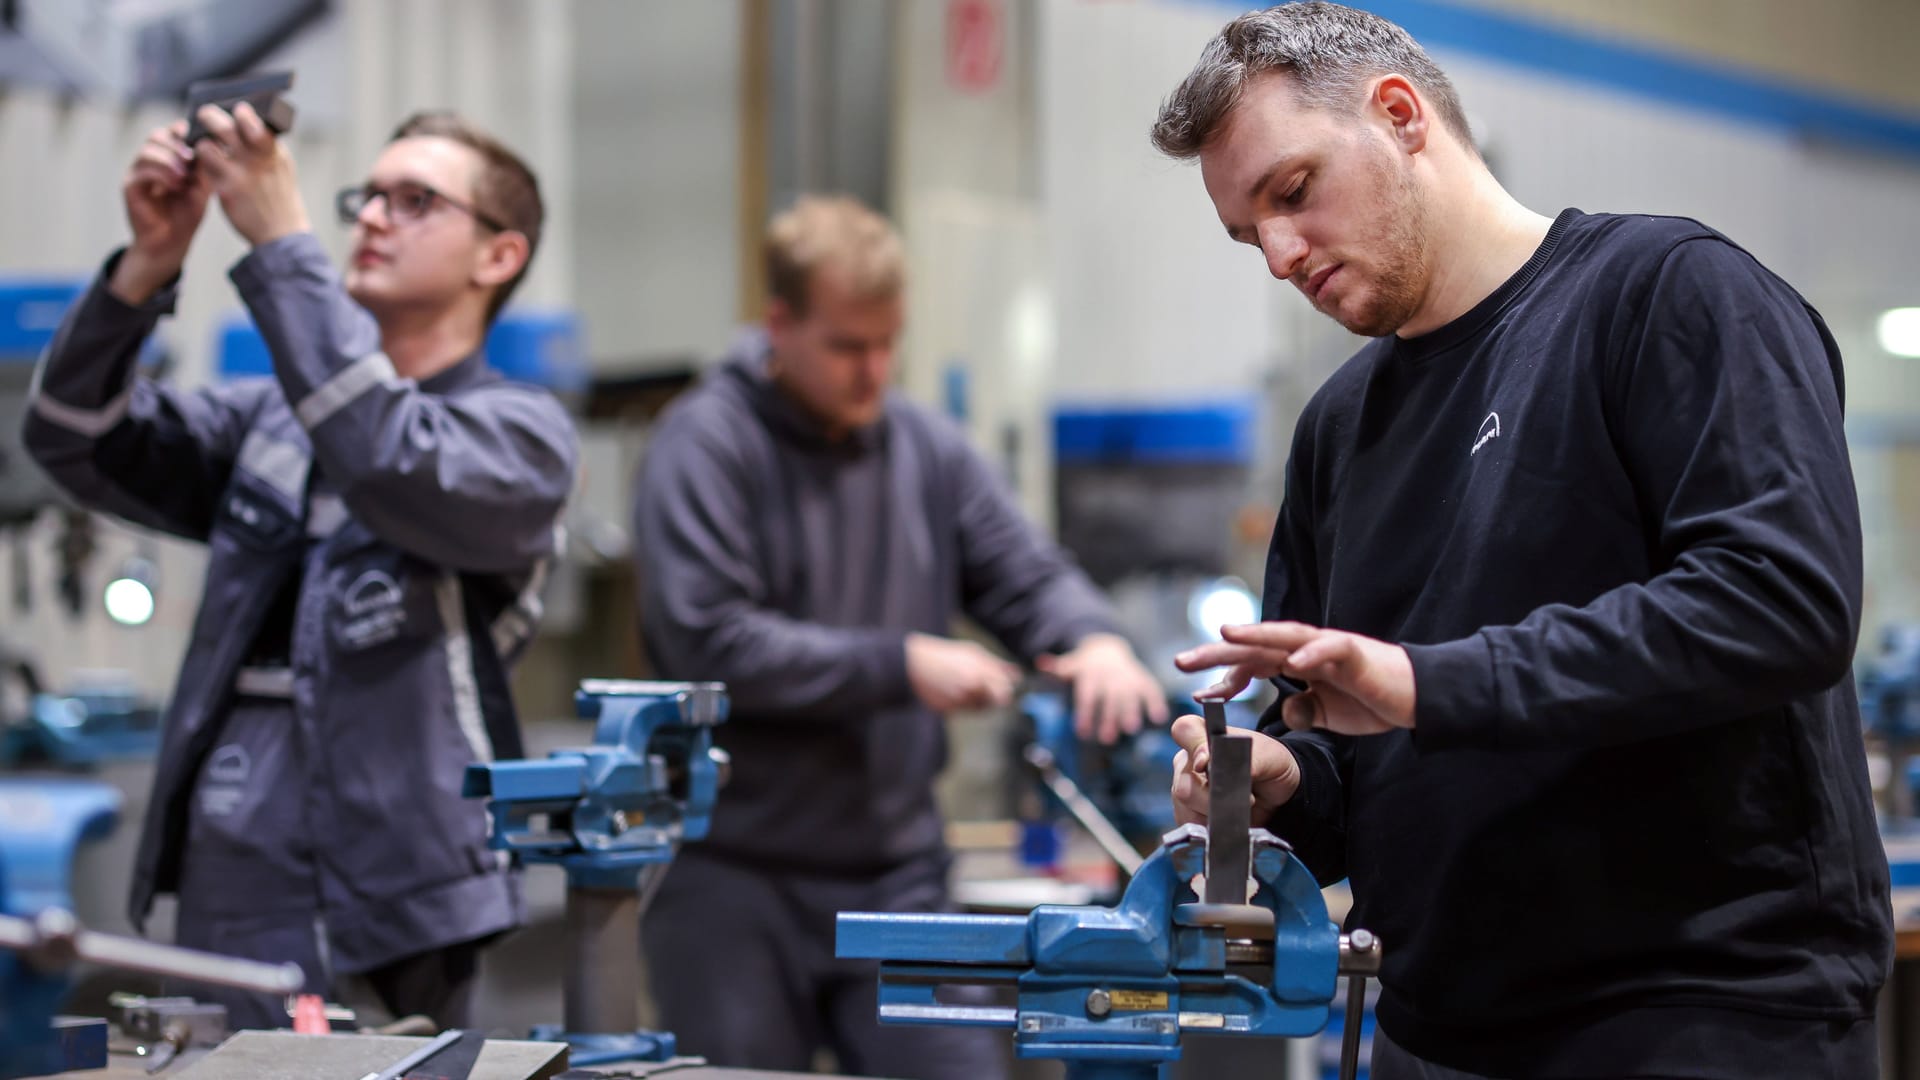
[1612, 518]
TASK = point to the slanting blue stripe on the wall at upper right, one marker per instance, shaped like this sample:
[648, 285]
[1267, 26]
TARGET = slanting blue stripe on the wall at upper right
[1644, 70]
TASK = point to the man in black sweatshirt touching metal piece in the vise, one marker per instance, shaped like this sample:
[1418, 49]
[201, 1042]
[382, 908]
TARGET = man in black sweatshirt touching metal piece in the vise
[1562, 597]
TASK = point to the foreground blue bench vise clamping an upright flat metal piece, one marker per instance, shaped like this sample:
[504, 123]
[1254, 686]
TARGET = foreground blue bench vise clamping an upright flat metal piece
[1111, 991]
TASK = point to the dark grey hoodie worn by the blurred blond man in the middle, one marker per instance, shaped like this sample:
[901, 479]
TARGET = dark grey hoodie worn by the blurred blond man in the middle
[794, 568]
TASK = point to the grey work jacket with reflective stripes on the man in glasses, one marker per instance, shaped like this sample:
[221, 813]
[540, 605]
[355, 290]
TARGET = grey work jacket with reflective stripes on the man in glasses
[416, 522]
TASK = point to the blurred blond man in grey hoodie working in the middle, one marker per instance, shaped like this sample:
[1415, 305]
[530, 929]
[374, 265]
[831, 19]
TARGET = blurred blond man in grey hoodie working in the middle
[807, 535]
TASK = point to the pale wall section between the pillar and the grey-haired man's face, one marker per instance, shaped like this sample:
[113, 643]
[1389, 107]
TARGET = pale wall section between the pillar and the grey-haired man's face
[1153, 301]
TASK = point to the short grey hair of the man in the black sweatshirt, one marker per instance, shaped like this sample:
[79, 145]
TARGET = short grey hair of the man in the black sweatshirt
[1330, 51]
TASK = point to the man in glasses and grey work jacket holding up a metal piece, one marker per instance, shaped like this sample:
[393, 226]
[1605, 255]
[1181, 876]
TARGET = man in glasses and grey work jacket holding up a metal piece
[379, 516]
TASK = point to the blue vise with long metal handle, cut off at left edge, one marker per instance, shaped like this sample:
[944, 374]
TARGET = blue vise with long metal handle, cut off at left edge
[41, 827]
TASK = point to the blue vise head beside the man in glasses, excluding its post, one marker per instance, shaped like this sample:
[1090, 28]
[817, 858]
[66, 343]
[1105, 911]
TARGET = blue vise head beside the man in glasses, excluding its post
[612, 810]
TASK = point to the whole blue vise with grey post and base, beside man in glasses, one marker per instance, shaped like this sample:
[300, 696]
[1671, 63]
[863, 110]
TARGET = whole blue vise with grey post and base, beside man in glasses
[613, 816]
